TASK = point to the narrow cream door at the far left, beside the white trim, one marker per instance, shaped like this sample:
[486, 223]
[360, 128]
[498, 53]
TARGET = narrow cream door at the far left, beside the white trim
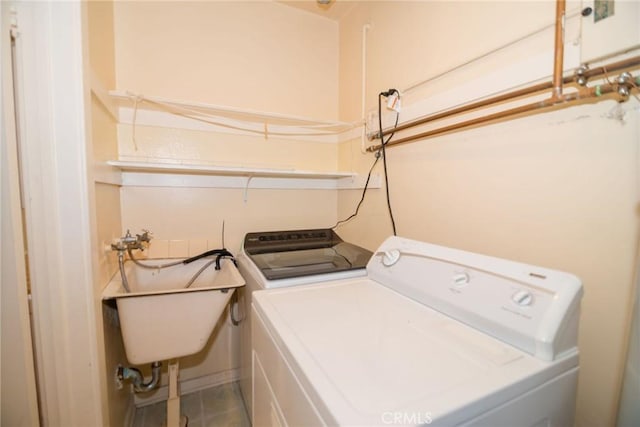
[17, 372]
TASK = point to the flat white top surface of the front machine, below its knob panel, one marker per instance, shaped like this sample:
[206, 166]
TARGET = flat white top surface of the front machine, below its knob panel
[365, 352]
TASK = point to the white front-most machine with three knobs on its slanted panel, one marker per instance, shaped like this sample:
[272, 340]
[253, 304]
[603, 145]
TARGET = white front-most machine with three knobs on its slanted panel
[431, 336]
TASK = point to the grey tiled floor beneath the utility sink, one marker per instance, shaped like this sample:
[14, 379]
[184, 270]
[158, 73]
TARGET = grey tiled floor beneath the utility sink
[220, 406]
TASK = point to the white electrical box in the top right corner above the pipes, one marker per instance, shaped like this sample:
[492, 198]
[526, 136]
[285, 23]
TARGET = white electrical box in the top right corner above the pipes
[609, 27]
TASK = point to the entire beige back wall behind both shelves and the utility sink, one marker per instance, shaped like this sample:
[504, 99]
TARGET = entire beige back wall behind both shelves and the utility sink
[252, 55]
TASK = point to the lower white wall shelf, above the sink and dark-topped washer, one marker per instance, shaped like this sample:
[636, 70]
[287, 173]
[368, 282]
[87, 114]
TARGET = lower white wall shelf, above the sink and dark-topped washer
[154, 174]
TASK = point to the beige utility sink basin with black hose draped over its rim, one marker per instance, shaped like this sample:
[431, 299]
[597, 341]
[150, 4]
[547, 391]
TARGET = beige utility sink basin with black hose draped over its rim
[162, 320]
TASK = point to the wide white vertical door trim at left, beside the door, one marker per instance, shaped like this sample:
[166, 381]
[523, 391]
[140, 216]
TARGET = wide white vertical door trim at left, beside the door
[54, 134]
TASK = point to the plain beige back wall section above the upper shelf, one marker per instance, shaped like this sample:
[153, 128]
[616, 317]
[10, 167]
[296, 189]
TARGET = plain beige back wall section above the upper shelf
[250, 54]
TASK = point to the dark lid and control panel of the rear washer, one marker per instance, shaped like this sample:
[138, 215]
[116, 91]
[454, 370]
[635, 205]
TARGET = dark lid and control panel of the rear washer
[296, 253]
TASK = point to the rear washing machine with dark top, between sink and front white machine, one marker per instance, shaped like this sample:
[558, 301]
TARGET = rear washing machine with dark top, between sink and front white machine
[277, 259]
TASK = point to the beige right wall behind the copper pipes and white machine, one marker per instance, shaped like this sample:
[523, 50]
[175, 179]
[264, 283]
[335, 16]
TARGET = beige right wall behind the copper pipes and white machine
[558, 189]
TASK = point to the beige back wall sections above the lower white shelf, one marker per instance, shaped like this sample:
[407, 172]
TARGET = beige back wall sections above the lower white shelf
[252, 55]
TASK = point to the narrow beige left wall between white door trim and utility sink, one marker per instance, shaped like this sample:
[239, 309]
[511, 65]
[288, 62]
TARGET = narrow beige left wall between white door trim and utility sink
[118, 403]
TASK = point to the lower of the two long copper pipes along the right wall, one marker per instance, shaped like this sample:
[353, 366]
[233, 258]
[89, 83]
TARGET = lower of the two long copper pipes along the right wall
[586, 94]
